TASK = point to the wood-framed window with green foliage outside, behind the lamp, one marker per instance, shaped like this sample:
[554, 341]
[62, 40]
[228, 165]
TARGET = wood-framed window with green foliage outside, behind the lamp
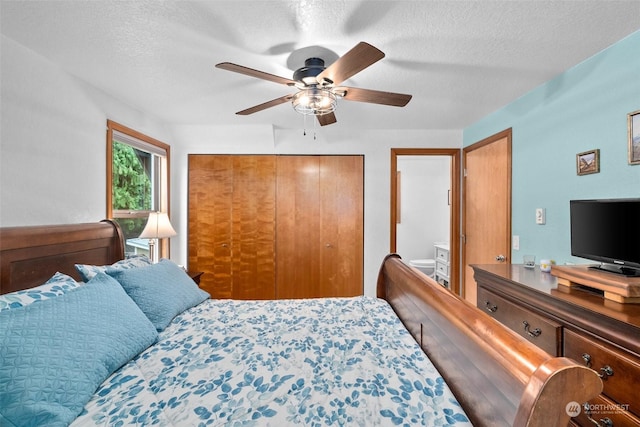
[137, 184]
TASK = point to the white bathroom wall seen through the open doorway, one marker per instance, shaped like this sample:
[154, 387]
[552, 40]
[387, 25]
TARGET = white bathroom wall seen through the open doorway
[425, 211]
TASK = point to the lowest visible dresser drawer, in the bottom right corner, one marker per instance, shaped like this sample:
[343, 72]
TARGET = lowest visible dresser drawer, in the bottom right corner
[605, 413]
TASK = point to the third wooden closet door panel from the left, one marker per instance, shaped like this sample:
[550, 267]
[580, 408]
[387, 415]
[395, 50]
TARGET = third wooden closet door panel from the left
[298, 227]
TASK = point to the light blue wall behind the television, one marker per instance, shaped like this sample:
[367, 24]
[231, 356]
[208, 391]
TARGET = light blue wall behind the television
[582, 109]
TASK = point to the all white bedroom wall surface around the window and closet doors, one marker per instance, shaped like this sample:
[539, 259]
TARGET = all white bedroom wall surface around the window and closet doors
[53, 152]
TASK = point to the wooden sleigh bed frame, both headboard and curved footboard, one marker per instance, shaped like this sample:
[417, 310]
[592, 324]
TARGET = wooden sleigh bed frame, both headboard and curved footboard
[498, 377]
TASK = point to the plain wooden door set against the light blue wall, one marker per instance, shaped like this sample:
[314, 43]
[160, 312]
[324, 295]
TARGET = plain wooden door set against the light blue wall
[487, 206]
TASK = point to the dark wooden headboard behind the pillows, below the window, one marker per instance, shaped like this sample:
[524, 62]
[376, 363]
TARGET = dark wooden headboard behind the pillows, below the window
[30, 255]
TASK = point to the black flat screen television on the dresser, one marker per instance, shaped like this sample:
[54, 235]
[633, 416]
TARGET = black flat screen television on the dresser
[607, 231]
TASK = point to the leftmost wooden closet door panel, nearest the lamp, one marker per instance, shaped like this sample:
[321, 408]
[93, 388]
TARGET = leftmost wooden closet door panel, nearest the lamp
[210, 204]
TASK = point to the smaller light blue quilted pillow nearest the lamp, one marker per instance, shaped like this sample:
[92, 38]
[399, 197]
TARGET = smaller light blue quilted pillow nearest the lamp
[162, 290]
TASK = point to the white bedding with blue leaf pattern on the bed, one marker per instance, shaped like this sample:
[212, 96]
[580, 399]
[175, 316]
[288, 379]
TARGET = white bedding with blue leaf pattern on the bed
[337, 361]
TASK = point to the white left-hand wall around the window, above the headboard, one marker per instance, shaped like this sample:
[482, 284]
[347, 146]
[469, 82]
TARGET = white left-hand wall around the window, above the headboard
[53, 141]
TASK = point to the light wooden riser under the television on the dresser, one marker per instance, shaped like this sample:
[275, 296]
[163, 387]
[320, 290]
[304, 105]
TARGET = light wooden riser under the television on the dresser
[617, 287]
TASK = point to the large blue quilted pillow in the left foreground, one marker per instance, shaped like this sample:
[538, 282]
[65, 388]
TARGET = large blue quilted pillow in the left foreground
[56, 353]
